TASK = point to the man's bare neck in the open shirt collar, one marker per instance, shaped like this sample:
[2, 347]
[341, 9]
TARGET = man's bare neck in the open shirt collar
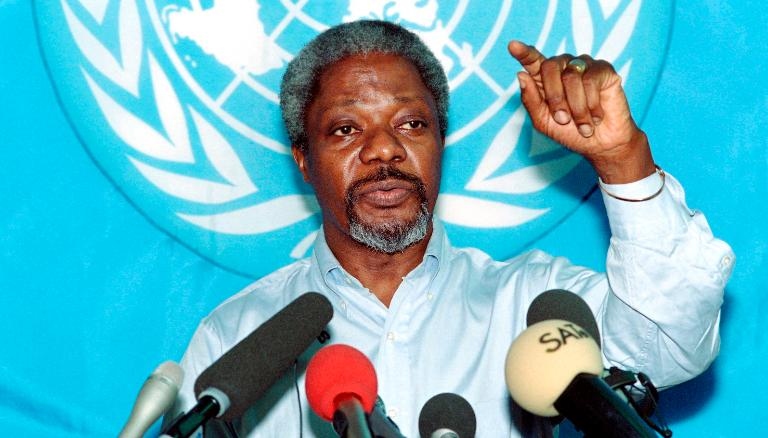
[379, 272]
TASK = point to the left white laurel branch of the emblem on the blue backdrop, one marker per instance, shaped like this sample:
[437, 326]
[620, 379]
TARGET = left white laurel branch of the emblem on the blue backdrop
[171, 143]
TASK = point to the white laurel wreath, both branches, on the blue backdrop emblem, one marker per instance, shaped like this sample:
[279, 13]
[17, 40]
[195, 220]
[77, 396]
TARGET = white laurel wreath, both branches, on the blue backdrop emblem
[171, 142]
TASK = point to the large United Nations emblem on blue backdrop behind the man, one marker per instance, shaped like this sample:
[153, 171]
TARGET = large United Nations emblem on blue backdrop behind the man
[176, 101]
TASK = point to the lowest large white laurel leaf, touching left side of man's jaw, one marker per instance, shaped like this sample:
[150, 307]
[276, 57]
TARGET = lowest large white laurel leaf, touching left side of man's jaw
[261, 218]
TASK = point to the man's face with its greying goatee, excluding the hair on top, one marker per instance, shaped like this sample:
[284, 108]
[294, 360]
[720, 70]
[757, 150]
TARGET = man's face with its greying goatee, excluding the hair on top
[374, 151]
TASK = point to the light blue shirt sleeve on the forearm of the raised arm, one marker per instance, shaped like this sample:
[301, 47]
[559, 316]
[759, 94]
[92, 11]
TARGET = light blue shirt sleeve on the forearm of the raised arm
[667, 274]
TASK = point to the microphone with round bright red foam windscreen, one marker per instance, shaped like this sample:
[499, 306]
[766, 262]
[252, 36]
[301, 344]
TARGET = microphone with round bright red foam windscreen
[341, 387]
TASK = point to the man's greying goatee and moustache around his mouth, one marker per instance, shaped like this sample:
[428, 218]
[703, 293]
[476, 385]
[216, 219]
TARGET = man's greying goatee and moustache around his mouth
[395, 235]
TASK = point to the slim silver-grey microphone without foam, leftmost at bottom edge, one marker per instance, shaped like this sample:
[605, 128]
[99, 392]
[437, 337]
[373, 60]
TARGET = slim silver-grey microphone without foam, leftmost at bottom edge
[156, 396]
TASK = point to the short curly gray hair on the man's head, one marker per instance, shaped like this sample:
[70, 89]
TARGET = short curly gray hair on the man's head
[299, 83]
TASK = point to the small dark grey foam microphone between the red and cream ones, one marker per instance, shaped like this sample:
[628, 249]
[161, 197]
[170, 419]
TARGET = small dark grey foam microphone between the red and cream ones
[447, 415]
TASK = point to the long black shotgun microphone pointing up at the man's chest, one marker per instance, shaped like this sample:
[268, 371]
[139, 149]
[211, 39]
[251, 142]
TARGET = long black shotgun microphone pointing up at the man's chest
[240, 377]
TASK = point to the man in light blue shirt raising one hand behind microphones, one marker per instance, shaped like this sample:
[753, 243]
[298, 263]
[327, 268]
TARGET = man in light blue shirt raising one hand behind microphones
[365, 105]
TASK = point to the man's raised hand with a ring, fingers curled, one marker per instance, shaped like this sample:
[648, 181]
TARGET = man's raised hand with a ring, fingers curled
[580, 103]
